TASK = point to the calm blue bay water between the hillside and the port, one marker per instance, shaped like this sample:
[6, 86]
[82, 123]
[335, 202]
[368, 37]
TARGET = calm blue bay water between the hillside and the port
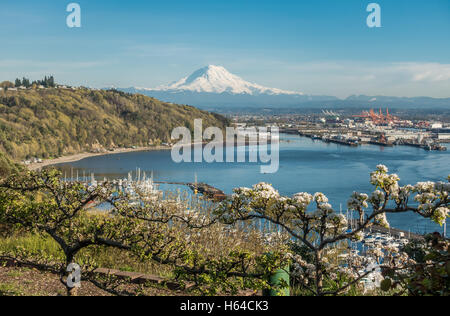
[305, 166]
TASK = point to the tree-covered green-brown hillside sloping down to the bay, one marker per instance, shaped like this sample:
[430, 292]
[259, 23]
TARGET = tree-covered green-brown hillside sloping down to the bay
[48, 123]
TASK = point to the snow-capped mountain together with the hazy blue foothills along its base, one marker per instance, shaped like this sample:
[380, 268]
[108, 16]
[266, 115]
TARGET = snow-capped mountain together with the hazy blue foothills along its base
[214, 88]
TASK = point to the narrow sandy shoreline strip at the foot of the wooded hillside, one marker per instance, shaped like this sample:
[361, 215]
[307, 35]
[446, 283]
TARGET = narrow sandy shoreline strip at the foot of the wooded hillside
[81, 156]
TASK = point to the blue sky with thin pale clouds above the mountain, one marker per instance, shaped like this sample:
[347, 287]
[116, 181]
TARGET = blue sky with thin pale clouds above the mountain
[317, 47]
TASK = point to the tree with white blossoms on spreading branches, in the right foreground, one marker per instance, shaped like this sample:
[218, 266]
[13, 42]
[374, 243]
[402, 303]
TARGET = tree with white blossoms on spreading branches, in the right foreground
[322, 227]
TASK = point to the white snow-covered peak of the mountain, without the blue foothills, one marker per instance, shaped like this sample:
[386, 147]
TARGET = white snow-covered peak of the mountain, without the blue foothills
[216, 79]
